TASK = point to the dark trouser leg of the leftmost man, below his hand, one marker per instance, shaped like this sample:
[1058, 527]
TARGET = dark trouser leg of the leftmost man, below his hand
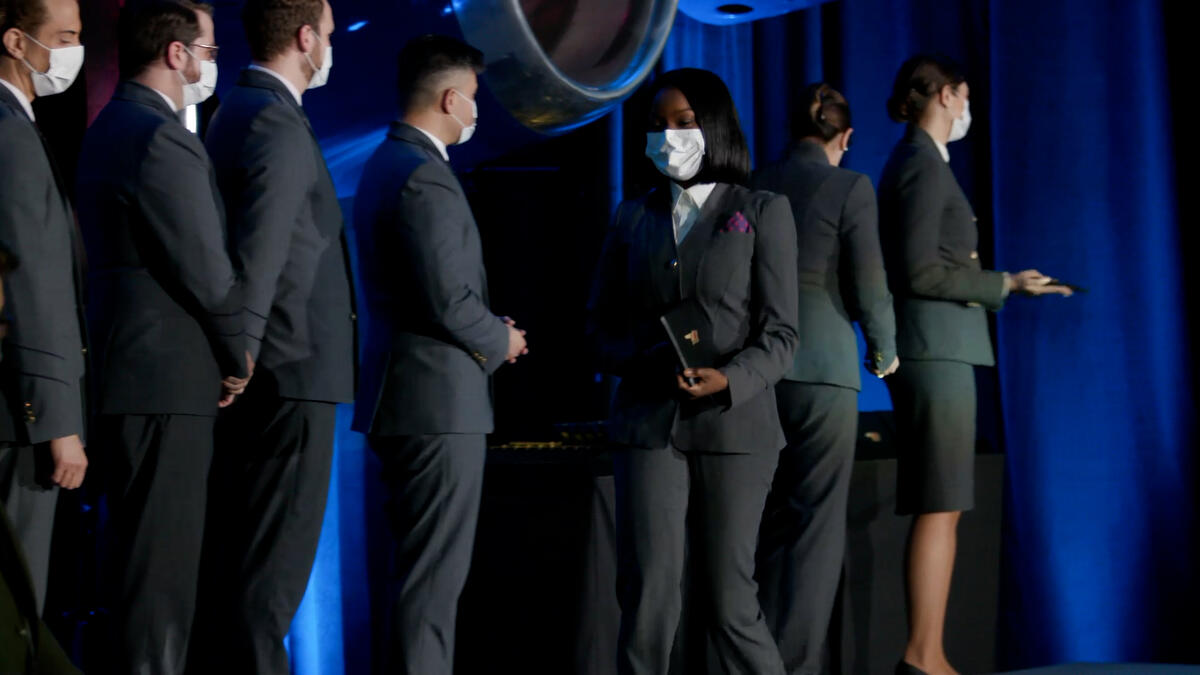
[31, 499]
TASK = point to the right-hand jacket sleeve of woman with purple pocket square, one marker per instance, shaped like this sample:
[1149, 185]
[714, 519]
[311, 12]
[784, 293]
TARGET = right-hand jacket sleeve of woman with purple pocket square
[773, 336]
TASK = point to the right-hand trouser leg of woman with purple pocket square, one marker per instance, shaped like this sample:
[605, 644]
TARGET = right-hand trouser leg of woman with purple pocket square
[730, 493]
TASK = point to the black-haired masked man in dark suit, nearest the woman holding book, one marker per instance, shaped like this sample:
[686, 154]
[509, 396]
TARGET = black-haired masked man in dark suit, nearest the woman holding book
[431, 345]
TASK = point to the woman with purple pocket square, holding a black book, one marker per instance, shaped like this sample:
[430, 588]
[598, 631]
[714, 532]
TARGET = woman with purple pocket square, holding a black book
[707, 440]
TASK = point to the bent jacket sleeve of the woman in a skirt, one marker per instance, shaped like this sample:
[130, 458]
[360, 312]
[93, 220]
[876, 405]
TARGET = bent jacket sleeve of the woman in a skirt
[922, 202]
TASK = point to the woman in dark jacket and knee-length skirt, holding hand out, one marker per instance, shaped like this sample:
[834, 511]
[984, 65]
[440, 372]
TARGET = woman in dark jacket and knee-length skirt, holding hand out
[929, 238]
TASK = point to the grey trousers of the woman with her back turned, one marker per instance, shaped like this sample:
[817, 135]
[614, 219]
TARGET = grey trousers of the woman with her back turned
[803, 539]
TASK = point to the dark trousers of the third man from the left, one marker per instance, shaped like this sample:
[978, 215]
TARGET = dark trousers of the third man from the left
[271, 479]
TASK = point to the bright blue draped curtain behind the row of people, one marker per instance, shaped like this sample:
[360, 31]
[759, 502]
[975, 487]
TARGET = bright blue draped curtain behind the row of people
[1070, 165]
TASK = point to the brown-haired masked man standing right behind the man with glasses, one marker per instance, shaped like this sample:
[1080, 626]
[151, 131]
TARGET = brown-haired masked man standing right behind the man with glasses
[275, 447]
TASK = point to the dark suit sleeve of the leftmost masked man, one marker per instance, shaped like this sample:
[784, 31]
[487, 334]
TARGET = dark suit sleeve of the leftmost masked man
[43, 348]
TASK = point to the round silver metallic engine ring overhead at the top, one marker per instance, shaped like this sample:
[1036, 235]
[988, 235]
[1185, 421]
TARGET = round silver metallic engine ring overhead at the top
[560, 64]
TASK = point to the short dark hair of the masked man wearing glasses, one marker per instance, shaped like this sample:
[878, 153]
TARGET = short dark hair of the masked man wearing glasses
[146, 28]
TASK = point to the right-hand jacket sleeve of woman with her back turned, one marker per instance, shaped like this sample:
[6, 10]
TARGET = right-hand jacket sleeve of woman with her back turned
[866, 274]
